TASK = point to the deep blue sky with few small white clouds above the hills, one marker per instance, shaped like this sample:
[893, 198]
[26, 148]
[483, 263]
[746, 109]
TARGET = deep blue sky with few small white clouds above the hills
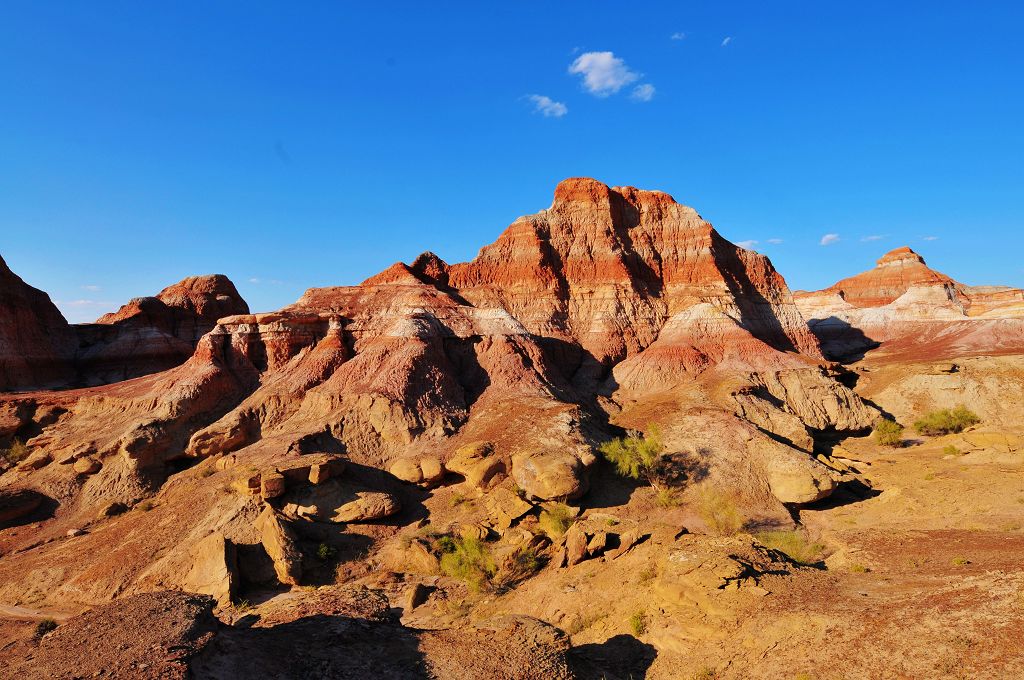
[301, 145]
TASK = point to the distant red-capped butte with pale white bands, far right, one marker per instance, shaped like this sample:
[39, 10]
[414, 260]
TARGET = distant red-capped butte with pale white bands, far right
[909, 309]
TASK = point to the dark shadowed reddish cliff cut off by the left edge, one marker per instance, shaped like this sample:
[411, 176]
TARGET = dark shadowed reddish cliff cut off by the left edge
[36, 343]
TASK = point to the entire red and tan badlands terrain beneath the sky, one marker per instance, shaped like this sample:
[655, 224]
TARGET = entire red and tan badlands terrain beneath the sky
[412, 478]
